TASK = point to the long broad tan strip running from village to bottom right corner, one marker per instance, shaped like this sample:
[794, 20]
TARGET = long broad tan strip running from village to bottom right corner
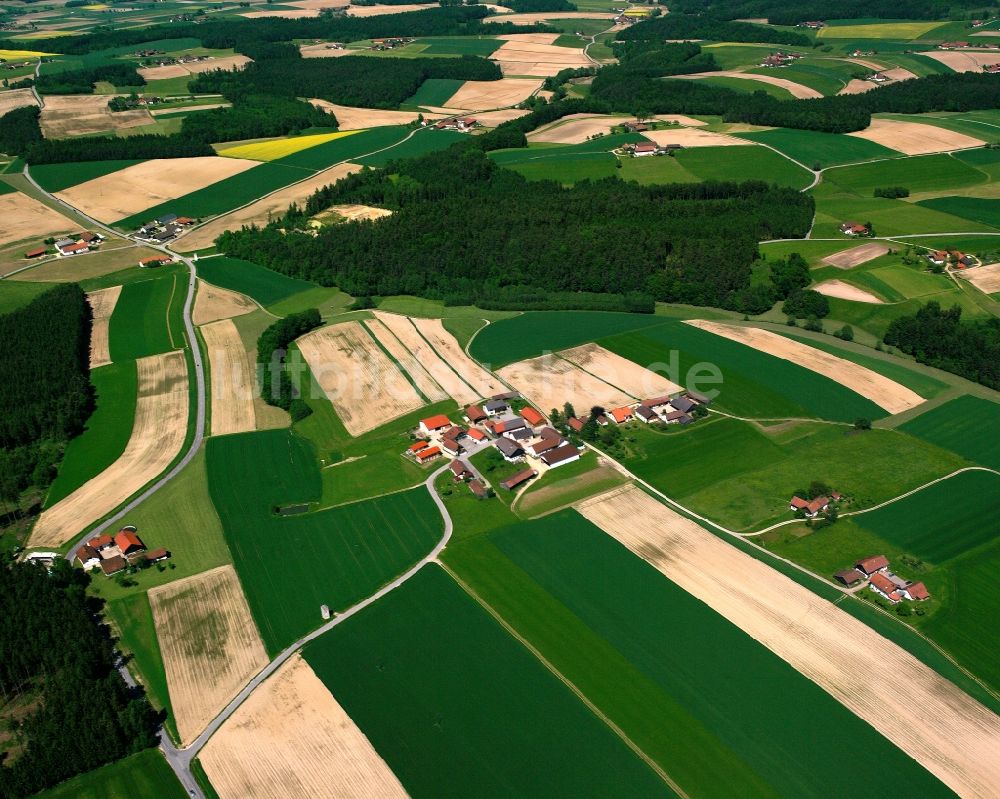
[929, 718]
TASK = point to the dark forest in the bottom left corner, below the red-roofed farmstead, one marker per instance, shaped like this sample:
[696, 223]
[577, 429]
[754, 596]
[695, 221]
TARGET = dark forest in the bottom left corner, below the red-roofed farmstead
[52, 650]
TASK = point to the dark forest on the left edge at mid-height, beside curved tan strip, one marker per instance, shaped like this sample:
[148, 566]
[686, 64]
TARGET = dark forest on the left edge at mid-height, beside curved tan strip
[46, 395]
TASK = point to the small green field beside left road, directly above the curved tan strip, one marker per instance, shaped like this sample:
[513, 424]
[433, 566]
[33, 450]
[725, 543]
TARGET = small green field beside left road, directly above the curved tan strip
[145, 316]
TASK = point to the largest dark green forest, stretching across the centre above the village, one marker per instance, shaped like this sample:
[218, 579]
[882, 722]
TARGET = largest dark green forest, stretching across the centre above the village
[693, 243]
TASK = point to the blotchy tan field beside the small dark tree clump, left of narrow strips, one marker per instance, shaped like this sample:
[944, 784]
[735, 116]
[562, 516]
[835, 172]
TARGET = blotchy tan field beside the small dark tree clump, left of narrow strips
[365, 387]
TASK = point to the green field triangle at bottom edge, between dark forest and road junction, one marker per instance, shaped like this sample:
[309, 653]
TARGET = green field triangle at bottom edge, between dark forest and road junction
[145, 775]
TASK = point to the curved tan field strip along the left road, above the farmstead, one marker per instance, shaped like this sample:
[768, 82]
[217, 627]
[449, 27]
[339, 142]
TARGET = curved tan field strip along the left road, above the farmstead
[157, 436]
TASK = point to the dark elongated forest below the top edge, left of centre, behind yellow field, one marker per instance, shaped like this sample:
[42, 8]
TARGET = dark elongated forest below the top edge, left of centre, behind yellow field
[357, 81]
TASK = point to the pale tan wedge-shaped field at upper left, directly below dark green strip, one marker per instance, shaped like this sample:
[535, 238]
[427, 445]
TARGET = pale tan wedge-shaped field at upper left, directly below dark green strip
[141, 186]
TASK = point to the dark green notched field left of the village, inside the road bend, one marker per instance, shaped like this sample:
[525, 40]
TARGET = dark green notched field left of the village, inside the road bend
[290, 565]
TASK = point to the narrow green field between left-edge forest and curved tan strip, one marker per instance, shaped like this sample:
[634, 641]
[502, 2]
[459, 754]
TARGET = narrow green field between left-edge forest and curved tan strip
[105, 434]
